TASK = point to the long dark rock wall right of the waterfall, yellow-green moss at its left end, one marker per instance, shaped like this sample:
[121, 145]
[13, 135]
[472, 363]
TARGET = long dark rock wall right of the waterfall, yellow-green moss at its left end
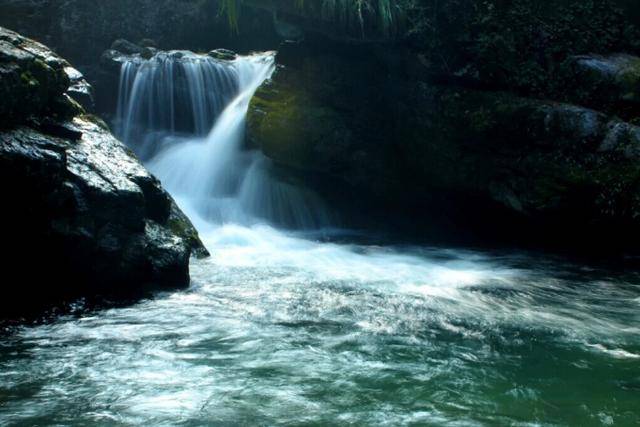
[554, 169]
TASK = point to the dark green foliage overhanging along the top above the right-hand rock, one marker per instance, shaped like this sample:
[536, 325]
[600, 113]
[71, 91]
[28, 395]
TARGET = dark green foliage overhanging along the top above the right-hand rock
[518, 45]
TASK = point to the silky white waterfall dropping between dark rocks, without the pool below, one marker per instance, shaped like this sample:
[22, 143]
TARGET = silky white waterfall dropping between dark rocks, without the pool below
[167, 104]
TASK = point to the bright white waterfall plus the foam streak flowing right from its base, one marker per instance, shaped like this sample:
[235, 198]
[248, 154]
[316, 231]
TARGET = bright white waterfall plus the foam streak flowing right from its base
[237, 205]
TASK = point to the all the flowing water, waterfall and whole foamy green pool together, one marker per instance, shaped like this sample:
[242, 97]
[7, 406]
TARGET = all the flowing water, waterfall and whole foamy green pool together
[292, 322]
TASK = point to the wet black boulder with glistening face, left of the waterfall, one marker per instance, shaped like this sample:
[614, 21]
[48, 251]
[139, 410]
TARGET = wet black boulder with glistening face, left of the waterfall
[82, 216]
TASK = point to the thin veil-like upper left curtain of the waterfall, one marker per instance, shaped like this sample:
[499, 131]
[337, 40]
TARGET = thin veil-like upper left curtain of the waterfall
[173, 93]
